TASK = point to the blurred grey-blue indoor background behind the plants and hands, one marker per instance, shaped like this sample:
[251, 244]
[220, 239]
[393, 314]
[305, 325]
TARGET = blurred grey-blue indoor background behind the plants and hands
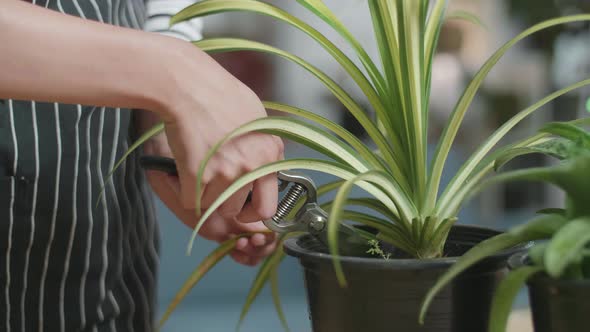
[541, 64]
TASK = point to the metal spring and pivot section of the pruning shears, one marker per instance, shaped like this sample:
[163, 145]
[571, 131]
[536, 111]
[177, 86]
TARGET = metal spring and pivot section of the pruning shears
[309, 218]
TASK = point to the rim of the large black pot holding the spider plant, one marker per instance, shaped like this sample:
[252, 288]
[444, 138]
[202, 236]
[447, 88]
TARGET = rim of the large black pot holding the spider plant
[292, 248]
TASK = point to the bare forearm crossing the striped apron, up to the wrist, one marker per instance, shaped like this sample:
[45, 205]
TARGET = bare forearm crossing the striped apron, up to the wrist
[53, 57]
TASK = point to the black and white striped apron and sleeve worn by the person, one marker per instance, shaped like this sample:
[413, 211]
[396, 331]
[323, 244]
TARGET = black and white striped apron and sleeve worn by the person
[67, 264]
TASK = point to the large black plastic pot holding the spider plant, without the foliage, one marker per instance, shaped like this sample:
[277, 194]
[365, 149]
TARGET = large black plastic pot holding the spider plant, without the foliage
[385, 295]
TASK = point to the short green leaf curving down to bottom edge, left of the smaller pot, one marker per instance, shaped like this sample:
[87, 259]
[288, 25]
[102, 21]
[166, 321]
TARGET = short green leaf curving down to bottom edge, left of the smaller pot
[505, 295]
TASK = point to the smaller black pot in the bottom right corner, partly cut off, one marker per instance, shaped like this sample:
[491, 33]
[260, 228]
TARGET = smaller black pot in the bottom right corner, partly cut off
[557, 305]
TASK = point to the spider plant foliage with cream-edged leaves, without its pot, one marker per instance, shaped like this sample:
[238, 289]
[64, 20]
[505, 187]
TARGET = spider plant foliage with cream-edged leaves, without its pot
[415, 215]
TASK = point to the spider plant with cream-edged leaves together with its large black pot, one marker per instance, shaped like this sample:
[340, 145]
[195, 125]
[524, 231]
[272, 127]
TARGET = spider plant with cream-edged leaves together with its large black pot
[412, 214]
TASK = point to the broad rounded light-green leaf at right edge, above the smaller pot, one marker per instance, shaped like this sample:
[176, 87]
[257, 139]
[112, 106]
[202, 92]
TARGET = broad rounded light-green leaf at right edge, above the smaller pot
[566, 246]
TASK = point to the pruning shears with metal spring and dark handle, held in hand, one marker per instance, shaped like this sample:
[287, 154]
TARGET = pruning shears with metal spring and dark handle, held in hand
[309, 218]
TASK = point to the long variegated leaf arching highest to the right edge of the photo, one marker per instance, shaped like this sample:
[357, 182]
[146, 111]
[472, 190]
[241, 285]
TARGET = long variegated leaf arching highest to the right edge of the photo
[456, 118]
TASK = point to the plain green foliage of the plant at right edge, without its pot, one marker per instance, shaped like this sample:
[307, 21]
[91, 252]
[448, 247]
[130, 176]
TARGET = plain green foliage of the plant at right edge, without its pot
[565, 254]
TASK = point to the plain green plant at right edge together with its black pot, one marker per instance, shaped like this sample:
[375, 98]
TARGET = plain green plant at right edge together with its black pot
[557, 270]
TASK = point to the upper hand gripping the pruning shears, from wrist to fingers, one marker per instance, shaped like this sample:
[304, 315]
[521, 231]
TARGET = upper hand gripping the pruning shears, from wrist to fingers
[206, 104]
